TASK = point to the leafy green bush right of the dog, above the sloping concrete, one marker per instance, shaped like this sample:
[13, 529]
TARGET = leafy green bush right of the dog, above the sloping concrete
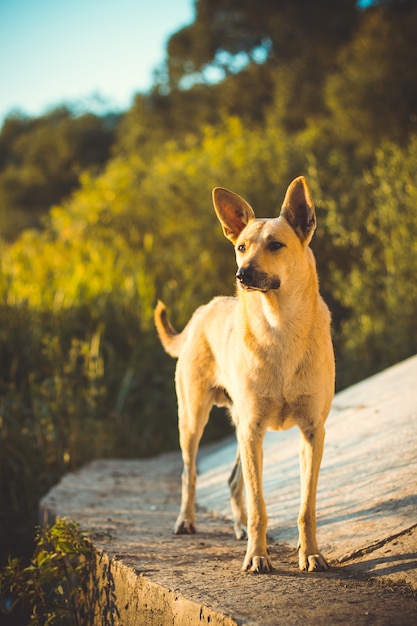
[382, 327]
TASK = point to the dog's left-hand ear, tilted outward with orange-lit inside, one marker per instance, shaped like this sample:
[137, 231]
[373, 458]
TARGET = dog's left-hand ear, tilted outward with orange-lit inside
[233, 212]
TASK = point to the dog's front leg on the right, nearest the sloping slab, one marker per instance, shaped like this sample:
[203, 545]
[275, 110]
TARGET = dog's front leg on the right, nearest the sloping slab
[312, 443]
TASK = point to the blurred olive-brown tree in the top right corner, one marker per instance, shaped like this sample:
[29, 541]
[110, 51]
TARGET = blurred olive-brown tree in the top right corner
[374, 92]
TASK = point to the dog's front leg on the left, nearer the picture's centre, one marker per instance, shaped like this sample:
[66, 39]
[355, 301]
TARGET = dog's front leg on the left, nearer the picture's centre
[250, 438]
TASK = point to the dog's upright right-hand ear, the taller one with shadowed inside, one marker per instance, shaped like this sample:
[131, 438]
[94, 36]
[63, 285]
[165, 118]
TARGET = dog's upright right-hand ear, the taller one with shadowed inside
[298, 209]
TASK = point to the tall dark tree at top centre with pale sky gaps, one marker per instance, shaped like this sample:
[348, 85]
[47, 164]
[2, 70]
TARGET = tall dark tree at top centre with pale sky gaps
[269, 45]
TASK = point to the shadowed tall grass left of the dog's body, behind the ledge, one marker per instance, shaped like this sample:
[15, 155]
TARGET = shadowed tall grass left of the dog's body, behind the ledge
[78, 384]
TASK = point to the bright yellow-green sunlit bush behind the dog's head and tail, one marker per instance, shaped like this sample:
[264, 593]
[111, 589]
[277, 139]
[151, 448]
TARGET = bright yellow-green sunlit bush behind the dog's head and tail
[140, 229]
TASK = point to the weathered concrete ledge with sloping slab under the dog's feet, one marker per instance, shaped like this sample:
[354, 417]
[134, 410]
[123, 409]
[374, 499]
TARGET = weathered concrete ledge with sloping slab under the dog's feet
[367, 525]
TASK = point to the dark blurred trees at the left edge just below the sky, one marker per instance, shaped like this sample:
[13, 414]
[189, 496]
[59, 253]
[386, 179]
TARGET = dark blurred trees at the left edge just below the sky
[41, 160]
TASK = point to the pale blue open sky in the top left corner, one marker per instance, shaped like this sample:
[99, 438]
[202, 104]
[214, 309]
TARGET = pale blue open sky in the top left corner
[54, 51]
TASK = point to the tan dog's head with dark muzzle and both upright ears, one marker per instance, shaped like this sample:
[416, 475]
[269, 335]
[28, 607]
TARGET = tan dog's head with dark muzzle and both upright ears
[267, 249]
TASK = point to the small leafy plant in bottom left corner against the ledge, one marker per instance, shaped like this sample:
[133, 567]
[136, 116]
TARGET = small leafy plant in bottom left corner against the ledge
[56, 588]
